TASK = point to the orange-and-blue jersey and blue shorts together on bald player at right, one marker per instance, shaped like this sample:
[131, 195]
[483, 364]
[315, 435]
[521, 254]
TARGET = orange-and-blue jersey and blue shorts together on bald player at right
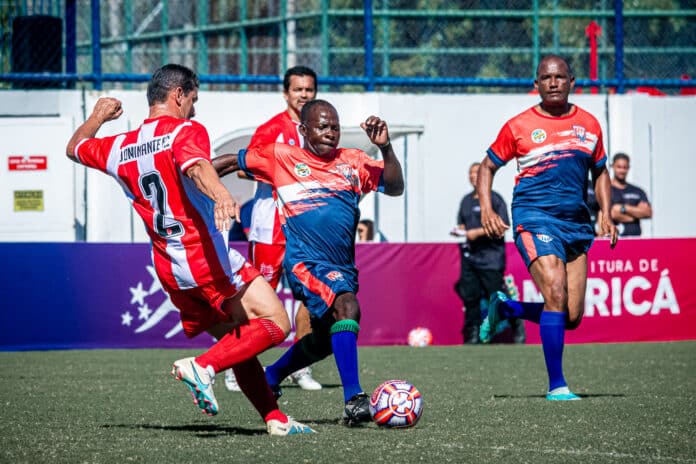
[554, 155]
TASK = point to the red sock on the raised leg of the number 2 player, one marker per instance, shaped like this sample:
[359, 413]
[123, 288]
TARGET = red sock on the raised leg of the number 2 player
[242, 344]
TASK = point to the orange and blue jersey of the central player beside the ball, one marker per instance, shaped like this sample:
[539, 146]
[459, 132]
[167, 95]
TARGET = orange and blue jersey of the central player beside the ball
[317, 198]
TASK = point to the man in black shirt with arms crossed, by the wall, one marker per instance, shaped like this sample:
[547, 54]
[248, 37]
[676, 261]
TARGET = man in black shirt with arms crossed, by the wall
[629, 204]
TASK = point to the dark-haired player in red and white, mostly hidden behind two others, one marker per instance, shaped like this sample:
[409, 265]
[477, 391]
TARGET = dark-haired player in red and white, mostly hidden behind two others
[266, 239]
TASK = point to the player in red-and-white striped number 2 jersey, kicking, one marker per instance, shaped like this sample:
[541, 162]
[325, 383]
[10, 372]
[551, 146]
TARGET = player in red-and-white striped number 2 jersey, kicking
[164, 168]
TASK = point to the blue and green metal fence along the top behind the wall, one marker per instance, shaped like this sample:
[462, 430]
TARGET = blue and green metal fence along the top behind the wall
[380, 61]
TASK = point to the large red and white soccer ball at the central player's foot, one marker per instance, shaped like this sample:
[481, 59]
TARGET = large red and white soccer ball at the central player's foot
[396, 404]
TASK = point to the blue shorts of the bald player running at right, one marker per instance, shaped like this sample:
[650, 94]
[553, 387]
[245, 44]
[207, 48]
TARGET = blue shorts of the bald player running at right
[563, 239]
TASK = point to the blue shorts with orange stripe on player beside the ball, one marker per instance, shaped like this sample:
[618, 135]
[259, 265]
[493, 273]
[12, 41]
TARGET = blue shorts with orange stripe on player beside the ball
[318, 284]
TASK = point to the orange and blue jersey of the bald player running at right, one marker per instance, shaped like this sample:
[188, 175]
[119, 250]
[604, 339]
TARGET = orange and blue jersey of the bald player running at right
[554, 156]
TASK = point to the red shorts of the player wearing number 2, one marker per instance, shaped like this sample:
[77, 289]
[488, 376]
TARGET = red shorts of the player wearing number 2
[200, 307]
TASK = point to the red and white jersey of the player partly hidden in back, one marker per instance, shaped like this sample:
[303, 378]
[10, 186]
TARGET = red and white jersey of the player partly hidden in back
[265, 225]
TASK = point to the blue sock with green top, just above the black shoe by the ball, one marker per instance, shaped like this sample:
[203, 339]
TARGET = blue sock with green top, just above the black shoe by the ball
[344, 340]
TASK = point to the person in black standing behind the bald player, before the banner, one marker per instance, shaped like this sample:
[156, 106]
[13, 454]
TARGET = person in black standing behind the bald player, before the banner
[482, 258]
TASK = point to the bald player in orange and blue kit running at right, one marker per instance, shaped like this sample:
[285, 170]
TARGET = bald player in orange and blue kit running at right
[556, 144]
